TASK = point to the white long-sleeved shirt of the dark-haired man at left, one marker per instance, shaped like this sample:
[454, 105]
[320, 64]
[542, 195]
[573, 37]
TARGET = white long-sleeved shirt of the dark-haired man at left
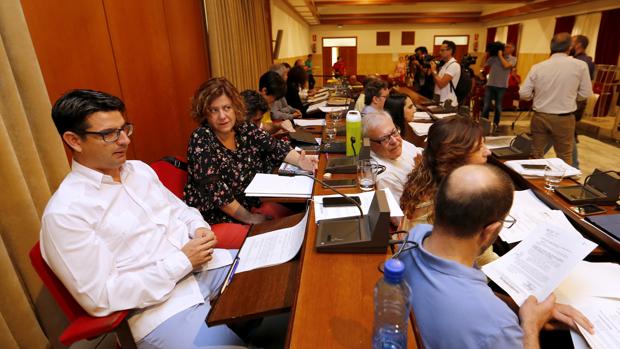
[117, 246]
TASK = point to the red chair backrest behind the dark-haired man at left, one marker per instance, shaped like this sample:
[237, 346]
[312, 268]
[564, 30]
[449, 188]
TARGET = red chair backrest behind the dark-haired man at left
[65, 300]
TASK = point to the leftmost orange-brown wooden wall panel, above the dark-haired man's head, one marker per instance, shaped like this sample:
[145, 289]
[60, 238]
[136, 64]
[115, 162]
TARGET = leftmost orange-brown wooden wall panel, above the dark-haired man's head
[73, 47]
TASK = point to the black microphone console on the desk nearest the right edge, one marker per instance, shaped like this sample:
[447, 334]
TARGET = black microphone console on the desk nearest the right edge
[600, 188]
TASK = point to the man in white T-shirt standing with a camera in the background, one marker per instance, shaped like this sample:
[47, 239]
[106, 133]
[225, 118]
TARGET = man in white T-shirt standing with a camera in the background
[449, 72]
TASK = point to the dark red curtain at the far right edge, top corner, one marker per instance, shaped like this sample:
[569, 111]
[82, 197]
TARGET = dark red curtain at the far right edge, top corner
[607, 48]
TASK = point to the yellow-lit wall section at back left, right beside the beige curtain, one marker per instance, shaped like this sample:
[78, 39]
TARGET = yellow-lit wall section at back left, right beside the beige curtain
[296, 32]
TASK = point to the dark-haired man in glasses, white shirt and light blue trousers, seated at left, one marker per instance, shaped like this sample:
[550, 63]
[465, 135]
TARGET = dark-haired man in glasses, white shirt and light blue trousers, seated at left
[118, 239]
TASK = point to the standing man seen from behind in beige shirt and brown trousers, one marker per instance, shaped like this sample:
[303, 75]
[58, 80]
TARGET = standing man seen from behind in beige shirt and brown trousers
[555, 85]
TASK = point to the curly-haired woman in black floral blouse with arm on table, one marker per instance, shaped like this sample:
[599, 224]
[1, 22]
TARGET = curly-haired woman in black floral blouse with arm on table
[224, 154]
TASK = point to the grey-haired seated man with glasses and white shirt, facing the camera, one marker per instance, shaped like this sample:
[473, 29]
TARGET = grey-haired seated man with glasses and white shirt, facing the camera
[390, 150]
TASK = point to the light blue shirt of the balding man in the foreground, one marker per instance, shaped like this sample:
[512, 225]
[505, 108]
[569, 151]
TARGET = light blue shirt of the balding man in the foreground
[453, 305]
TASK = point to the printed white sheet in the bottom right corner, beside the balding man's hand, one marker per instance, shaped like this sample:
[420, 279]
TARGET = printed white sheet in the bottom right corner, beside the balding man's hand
[604, 314]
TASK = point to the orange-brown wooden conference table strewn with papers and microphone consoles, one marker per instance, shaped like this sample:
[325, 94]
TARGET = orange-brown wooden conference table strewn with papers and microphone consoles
[330, 295]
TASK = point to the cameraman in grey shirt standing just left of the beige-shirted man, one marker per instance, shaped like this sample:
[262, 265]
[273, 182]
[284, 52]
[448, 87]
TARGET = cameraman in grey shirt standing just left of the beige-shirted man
[500, 61]
